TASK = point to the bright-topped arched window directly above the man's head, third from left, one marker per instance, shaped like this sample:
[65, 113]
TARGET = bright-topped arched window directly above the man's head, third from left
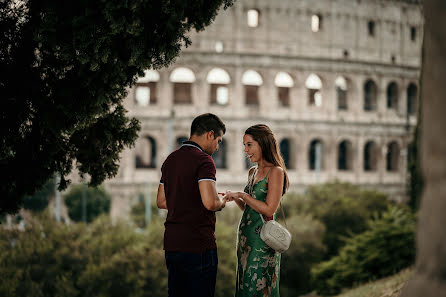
[219, 80]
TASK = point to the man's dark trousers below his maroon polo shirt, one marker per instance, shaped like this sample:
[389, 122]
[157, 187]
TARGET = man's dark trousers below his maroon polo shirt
[191, 274]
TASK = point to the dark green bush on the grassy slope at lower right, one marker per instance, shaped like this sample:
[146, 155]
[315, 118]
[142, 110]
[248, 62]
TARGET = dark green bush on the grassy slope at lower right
[385, 248]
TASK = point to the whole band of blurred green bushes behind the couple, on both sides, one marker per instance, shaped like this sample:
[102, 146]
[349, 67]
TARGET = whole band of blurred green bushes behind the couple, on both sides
[342, 237]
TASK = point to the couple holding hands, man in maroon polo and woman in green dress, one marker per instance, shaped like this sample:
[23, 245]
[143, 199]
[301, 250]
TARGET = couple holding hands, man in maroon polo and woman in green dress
[187, 190]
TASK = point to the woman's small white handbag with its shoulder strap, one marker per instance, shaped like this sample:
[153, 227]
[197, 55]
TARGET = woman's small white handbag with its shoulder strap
[272, 233]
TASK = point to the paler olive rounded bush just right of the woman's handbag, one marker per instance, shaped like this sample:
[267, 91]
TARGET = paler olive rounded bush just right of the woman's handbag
[343, 208]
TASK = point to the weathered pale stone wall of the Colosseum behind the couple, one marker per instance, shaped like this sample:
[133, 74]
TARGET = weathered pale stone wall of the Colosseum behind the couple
[284, 41]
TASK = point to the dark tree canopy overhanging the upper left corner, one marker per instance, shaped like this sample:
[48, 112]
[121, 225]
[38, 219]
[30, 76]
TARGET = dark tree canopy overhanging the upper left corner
[65, 67]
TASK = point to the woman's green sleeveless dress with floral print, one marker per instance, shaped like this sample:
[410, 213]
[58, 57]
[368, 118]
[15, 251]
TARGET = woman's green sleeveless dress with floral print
[258, 265]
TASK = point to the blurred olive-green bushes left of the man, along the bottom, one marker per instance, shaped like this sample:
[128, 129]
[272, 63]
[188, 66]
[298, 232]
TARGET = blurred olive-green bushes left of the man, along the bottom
[100, 259]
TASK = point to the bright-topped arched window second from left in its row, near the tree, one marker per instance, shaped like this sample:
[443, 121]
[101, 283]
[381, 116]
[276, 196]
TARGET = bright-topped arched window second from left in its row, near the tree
[182, 79]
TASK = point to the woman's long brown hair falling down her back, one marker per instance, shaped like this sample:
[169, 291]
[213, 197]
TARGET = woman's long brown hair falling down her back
[270, 149]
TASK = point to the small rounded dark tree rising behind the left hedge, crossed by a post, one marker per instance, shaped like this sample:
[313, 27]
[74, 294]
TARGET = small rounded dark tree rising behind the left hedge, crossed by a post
[97, 202]
